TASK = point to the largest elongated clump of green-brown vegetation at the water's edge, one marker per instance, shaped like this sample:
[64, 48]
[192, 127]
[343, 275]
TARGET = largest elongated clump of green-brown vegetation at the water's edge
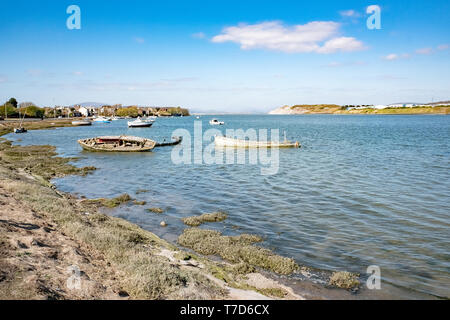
[236, 249]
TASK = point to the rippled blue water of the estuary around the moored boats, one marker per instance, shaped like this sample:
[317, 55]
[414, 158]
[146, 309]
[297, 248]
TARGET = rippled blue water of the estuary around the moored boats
[363, 190]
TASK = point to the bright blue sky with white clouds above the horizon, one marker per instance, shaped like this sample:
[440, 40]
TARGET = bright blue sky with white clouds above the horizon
[236, 56]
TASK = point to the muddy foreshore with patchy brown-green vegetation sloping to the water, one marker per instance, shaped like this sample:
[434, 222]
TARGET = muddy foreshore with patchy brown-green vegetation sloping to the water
[57, 246]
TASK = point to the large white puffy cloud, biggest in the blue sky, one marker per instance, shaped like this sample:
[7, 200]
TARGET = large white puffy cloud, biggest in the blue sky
[275, 36]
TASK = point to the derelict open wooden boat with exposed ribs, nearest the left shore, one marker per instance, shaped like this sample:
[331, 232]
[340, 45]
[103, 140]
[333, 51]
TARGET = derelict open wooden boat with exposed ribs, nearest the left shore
[117, 144]
